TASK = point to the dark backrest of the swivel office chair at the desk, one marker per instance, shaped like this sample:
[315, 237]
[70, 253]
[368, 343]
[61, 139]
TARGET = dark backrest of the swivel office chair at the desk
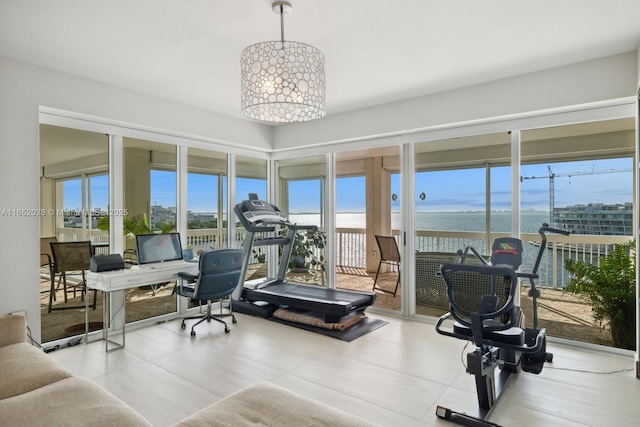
[219, 274]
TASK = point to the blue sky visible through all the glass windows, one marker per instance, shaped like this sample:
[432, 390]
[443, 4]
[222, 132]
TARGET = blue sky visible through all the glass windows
[597, 181]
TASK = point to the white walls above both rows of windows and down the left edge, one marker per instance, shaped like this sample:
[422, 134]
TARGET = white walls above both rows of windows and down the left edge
[24, 88]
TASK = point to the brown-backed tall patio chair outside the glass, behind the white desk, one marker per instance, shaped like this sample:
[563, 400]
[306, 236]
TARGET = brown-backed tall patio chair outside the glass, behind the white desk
[70, 258]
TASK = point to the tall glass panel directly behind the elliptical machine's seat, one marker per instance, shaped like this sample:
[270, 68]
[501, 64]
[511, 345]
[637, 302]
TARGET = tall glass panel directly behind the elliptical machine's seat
[463, 199]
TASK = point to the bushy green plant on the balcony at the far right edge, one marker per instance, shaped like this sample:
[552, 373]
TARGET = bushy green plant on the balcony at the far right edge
[610, 286]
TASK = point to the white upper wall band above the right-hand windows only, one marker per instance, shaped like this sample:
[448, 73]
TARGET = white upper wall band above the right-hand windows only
[602, 79]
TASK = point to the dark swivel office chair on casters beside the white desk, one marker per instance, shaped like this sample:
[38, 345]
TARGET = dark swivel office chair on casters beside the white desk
[218, 276]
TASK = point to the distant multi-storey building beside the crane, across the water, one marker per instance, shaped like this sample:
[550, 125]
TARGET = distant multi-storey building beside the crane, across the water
[596, 218]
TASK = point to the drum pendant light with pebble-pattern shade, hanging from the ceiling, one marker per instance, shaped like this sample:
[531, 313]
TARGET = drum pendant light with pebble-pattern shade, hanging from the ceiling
[282, 81]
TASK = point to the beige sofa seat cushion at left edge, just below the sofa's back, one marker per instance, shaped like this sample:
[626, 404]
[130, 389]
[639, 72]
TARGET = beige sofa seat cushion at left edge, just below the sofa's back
[24, 367]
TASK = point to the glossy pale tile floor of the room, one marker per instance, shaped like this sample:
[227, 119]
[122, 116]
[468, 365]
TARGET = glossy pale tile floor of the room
[394, 376]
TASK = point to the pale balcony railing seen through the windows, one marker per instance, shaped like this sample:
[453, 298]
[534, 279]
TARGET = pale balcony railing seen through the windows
[351, 246]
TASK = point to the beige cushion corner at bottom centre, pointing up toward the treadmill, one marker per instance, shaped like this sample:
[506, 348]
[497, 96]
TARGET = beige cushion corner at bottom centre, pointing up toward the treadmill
[266, 404]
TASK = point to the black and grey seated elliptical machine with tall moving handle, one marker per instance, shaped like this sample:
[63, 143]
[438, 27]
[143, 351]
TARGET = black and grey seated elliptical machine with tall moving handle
[482, 305]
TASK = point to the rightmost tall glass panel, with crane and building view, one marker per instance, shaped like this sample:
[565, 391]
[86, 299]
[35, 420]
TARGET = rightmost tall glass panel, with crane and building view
[577, 178]
